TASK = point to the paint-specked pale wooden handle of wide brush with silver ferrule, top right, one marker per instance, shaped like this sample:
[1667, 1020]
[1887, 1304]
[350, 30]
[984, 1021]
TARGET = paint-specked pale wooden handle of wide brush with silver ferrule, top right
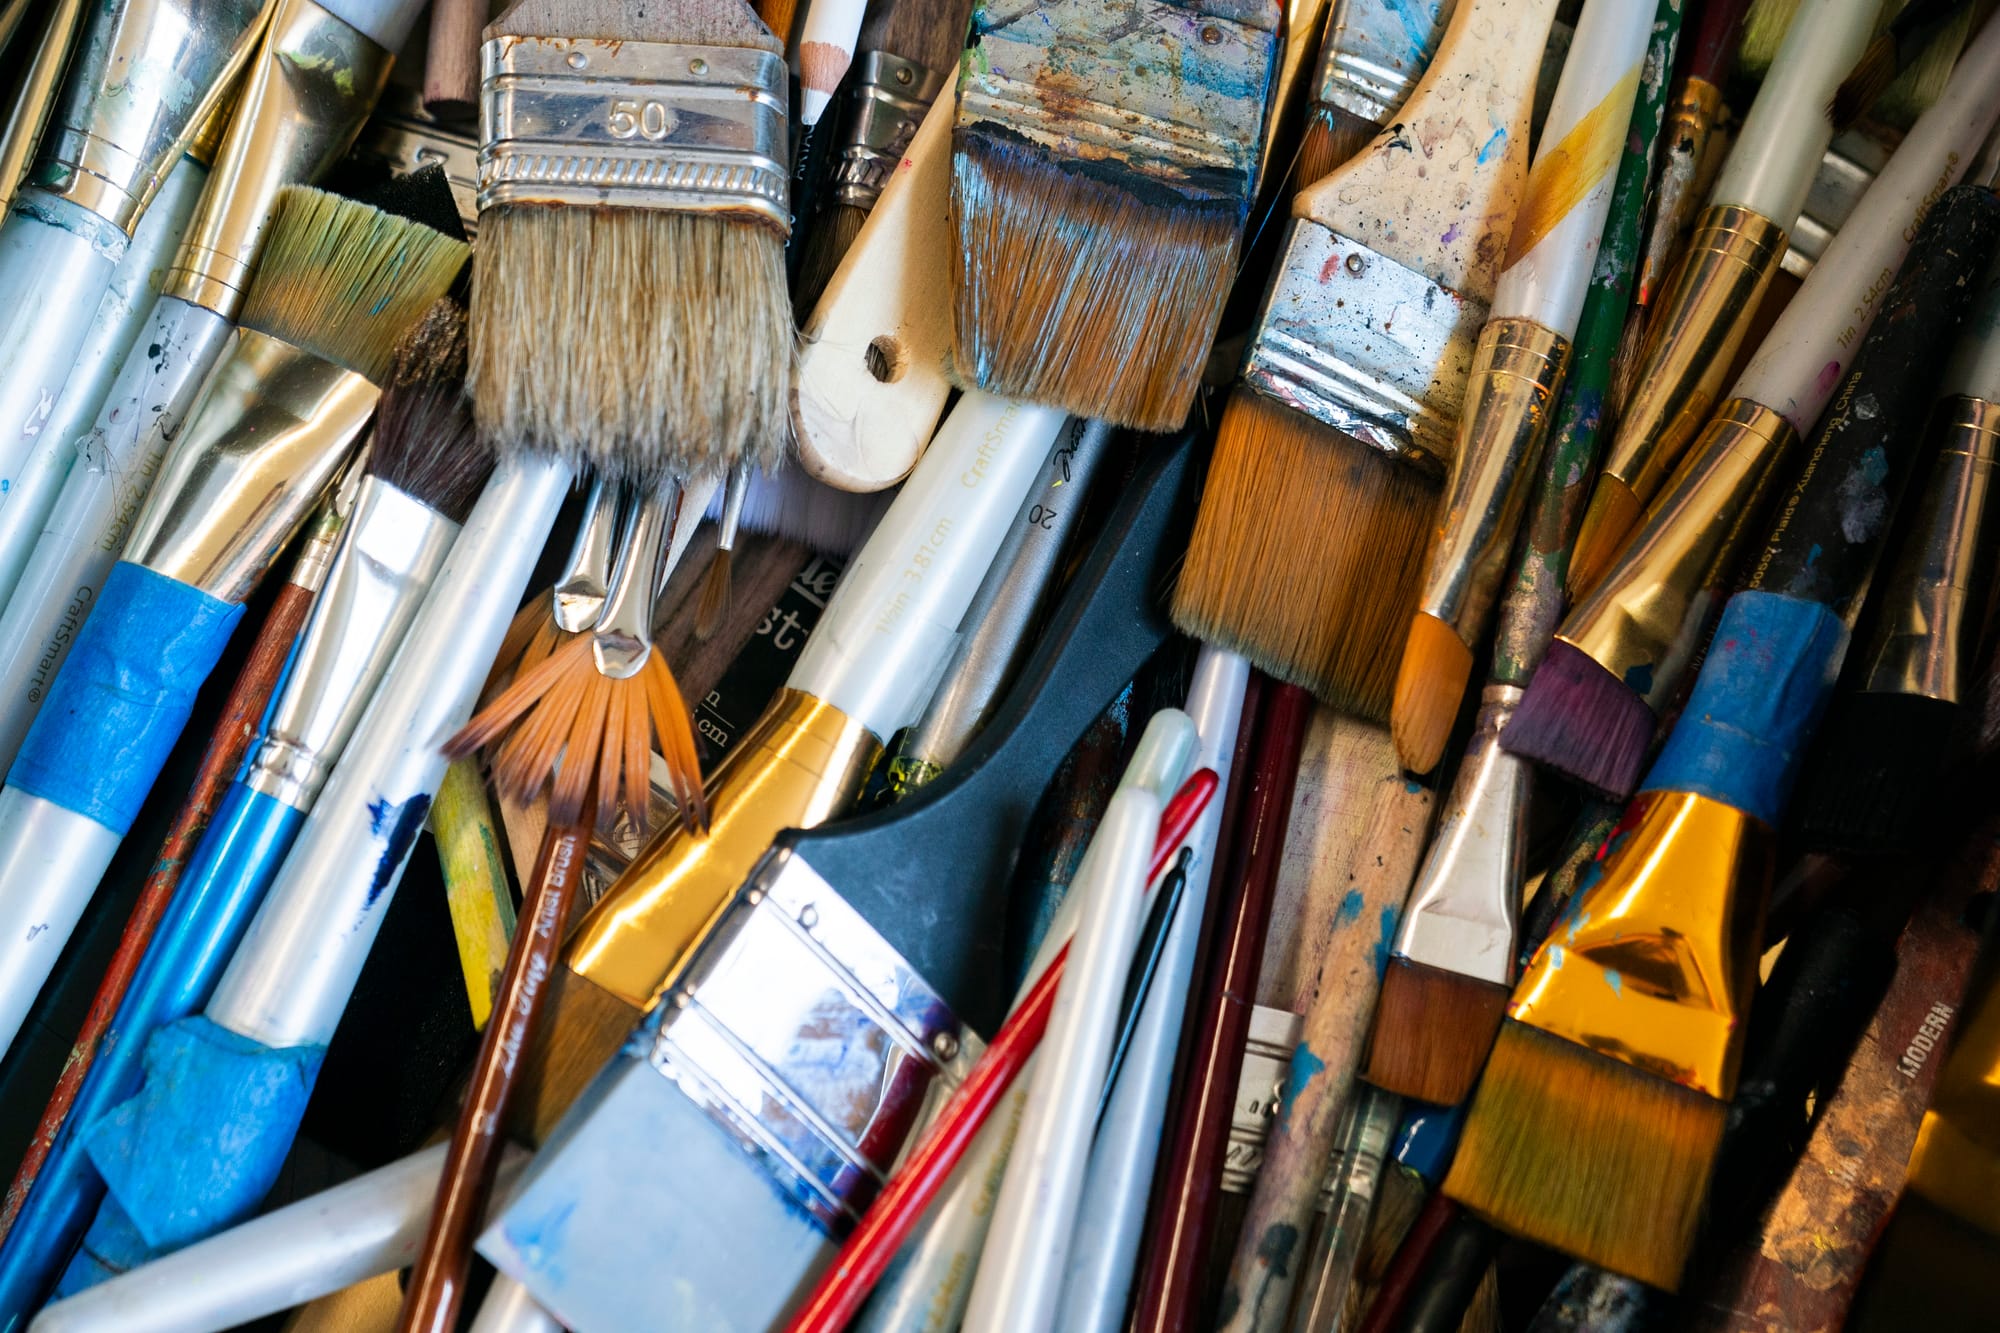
[1439, 189]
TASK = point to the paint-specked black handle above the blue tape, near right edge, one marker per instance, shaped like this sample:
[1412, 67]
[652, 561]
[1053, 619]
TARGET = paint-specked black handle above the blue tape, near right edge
[1833, 525]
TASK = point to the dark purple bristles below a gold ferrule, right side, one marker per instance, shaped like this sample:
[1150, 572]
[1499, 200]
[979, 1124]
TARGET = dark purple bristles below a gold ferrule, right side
[1583, 722]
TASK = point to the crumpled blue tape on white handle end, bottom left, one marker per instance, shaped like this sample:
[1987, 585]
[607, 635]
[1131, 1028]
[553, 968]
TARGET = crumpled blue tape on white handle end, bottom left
[203, 1142]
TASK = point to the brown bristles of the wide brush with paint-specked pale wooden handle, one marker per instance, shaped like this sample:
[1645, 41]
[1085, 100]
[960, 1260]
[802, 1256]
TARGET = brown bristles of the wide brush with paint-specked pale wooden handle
[1307, 553]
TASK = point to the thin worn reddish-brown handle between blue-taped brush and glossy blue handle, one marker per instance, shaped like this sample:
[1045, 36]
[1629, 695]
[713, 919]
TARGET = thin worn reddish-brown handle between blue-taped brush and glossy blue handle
[235, 732]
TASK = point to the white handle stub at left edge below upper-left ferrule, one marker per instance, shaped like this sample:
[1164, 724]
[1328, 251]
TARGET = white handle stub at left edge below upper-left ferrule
[51, 283]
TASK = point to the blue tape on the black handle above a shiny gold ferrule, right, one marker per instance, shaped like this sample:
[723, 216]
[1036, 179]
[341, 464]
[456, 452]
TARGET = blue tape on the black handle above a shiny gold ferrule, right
[1763, 690]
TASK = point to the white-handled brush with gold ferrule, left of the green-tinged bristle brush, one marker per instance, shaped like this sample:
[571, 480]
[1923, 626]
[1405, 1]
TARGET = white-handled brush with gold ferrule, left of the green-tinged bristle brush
[313, 79]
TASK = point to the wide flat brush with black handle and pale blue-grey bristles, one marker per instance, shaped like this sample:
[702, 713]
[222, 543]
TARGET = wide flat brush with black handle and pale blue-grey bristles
[873, 888]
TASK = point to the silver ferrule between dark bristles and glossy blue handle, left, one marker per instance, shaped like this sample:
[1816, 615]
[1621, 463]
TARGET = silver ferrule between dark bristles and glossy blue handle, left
[393, 551]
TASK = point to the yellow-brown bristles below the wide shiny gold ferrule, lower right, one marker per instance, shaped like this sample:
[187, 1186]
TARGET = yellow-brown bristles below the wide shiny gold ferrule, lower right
[1589, 1156]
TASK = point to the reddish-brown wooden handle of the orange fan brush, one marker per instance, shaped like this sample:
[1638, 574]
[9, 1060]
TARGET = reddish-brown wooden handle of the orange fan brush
[439, 1282]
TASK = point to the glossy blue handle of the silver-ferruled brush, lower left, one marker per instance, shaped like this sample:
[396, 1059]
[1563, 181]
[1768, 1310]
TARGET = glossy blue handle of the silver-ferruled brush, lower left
[215, 902]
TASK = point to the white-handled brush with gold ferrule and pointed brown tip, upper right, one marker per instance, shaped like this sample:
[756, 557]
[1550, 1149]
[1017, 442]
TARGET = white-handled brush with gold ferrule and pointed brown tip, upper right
[1737, 245]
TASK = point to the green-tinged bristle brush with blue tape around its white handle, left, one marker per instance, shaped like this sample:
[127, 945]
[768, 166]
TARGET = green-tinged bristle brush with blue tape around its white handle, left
[339, 285]
